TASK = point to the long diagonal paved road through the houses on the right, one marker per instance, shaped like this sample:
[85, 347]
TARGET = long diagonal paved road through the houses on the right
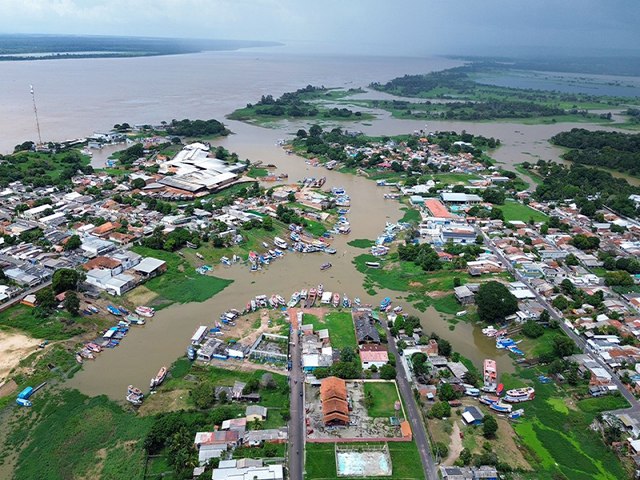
[580, 342]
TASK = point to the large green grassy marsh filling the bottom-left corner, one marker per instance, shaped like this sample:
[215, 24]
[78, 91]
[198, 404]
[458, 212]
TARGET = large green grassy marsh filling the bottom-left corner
[74, 436]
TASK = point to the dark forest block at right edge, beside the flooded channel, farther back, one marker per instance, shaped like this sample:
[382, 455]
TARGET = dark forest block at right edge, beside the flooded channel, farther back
[619, 151]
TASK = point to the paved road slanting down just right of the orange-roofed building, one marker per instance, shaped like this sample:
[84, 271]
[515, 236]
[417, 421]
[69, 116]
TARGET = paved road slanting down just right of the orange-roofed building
[415, 418]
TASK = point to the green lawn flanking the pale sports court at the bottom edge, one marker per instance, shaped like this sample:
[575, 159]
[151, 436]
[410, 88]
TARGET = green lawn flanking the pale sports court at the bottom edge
[405, 461]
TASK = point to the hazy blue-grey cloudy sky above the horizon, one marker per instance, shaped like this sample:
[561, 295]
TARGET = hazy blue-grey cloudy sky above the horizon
[400, 27]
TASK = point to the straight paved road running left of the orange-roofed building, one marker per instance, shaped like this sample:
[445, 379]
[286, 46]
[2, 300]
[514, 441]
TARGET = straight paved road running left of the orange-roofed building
[296, 423]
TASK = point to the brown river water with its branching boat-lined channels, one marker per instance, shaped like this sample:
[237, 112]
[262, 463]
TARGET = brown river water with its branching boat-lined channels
[76, 97]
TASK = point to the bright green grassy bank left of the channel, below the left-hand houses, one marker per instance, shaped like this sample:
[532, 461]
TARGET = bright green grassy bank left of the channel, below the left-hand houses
[181, 283]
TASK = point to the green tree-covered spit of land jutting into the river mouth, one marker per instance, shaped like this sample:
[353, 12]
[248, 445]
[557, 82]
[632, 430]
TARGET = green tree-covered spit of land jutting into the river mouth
[294, 104]
